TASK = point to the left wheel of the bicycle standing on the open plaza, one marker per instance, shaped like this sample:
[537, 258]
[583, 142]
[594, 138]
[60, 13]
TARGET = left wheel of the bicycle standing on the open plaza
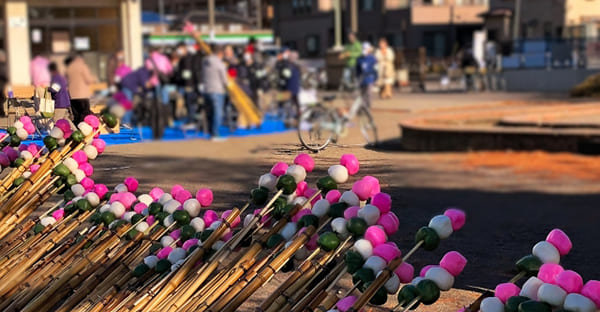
[316, 128]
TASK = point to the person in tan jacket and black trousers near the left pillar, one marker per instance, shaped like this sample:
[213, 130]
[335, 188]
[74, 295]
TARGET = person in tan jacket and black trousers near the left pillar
[80, 80]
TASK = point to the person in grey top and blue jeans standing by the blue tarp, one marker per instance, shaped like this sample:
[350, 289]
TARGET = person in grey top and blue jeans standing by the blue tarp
[214, 79]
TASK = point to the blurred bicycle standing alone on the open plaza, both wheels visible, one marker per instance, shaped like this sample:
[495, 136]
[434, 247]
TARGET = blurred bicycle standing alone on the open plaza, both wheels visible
[320, 125]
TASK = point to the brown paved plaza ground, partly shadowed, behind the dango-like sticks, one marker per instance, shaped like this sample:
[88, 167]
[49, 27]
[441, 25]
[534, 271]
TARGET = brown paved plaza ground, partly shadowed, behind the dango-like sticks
[508, 212]
